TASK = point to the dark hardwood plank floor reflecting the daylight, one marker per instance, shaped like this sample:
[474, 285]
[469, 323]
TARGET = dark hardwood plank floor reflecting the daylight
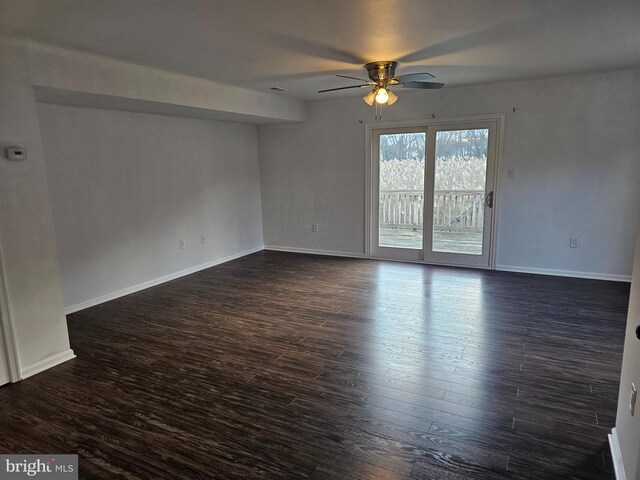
[292, 366]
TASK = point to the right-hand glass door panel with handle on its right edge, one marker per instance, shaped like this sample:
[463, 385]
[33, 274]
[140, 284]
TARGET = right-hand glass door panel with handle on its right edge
[461, 161]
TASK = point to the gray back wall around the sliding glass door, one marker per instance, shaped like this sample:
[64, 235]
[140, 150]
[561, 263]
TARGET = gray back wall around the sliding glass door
[572, 142]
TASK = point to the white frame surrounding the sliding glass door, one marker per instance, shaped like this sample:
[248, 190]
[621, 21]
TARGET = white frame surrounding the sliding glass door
[425, 123]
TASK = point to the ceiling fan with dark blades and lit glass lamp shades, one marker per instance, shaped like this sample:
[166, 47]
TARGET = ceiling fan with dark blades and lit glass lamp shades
[382, 76]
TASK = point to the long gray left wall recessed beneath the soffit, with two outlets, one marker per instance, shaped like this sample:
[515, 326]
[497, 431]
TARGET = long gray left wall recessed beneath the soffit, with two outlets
[126, 187]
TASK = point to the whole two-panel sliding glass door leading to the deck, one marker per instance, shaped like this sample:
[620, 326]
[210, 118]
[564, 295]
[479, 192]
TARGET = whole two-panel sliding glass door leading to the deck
[432, 193]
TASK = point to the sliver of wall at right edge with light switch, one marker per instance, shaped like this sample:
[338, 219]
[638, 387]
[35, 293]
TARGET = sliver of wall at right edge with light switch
[627, 426]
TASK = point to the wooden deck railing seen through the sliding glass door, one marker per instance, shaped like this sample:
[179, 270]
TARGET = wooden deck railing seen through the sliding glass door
[453, 210]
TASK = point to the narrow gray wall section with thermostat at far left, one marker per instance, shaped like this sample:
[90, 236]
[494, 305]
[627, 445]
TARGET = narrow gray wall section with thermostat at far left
[30, 295]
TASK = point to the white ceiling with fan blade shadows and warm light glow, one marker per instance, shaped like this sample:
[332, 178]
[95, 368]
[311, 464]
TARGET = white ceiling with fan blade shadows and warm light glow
[300, 45]
